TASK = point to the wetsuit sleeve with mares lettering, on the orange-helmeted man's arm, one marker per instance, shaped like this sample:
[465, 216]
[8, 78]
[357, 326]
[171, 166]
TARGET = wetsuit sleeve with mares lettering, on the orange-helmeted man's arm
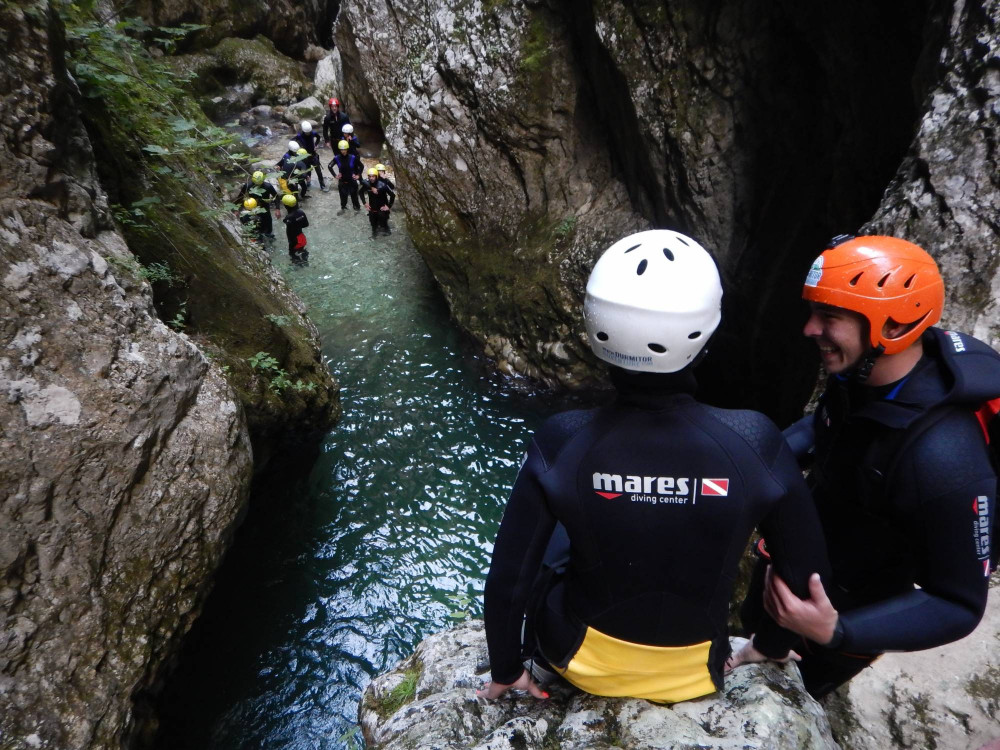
[950, 532]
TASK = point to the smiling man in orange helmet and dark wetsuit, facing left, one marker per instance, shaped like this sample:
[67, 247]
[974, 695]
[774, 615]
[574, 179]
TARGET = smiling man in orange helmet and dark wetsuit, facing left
[901, 473]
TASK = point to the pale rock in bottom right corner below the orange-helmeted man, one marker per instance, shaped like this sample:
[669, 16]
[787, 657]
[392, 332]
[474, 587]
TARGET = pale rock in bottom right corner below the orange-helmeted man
[947, 697]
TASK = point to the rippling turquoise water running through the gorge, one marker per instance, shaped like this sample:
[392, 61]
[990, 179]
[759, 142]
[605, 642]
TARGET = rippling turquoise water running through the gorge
[390, 534]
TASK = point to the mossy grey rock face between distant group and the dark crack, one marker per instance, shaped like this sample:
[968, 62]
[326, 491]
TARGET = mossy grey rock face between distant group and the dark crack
[510, 192]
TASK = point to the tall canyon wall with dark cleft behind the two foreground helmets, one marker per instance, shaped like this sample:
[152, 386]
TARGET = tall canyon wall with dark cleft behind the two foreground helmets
[528, 135]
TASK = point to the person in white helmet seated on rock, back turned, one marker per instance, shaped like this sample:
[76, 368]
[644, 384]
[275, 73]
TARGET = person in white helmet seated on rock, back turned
[658, 495]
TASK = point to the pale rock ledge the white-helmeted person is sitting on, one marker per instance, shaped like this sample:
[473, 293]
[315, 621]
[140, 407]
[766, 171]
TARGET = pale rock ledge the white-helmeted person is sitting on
[429, 701]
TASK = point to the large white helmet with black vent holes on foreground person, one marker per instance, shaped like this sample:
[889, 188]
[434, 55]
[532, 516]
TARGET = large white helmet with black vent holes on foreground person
[653, 300]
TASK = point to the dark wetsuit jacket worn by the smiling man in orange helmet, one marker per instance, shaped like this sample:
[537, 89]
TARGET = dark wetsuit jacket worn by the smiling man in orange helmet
[914, 519]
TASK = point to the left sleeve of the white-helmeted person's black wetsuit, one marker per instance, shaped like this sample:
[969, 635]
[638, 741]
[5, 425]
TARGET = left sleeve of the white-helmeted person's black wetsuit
[520, 545]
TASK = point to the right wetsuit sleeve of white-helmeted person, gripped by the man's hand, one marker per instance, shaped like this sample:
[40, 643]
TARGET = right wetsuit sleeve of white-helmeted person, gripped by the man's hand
[796, 544]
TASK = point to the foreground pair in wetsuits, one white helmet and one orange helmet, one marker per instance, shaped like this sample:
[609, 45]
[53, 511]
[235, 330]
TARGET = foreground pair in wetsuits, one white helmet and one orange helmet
[614, 564]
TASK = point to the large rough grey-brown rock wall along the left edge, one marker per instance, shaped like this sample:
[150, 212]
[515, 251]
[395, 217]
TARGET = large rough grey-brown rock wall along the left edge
[126, 457]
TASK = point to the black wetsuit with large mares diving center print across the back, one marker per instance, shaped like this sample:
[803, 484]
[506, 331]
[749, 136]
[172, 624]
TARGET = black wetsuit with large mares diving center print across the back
[659, 495]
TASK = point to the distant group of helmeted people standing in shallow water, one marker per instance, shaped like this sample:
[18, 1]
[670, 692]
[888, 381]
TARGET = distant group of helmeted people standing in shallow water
[293, 178]
